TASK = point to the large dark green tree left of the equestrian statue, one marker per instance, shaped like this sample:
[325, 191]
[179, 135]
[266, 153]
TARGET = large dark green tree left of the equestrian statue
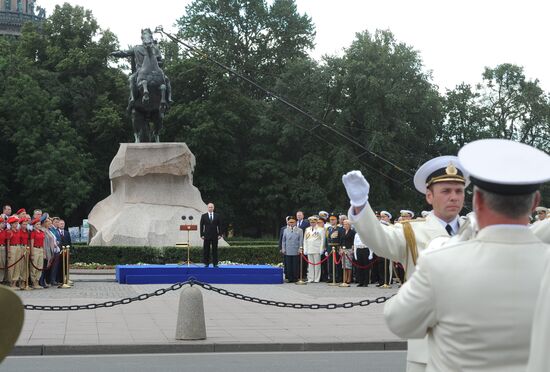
[62, 107]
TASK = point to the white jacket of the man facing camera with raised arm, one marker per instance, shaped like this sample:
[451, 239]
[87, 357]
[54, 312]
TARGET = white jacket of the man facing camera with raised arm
[389, 241]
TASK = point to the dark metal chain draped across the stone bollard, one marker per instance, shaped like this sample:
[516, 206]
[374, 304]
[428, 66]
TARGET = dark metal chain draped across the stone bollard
[208, 287]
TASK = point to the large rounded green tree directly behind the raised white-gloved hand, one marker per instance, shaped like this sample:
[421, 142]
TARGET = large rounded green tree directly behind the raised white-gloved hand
[391, 107]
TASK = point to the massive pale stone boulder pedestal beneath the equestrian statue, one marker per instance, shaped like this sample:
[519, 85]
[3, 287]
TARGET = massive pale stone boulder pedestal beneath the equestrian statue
[151, 189]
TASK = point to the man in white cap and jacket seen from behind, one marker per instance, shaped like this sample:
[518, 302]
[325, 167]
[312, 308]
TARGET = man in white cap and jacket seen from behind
[475, 324]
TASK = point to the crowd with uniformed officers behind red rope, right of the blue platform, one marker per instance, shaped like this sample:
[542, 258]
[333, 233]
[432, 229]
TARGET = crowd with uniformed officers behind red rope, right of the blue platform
[325, 248]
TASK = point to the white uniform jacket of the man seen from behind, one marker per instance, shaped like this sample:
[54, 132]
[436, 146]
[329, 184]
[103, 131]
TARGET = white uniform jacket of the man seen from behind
[475, 300]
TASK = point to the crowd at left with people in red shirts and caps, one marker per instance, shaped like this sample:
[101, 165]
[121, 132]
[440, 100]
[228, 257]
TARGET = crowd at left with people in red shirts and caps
[30, 249]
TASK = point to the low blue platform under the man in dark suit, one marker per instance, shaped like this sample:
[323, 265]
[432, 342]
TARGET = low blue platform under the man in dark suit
[224, 274]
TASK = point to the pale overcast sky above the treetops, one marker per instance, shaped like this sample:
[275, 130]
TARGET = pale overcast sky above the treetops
[456, 39]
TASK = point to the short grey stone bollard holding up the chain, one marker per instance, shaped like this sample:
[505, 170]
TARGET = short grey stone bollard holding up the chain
[191, 324]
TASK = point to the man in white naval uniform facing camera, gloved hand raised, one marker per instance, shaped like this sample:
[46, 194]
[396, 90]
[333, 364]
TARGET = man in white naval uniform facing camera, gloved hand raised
[442, 180]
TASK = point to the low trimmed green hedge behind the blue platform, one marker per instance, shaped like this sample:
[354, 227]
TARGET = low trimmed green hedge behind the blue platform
[116, 255]
